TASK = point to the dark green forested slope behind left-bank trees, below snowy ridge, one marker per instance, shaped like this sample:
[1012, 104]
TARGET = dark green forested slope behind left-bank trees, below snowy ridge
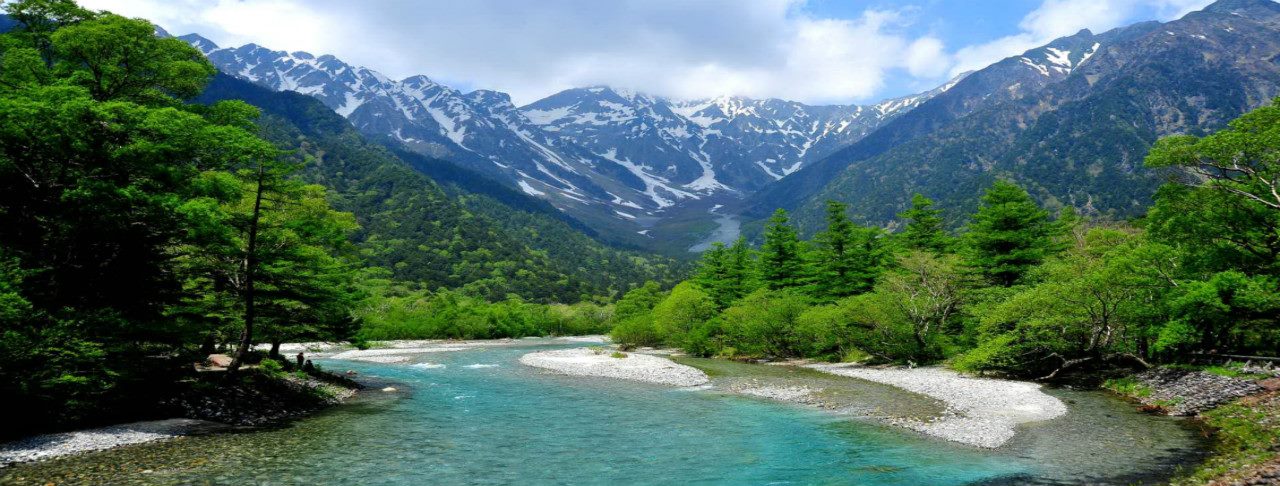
[422, 232]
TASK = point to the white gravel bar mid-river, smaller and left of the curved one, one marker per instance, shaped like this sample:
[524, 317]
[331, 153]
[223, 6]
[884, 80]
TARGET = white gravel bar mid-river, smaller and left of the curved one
[633, 366]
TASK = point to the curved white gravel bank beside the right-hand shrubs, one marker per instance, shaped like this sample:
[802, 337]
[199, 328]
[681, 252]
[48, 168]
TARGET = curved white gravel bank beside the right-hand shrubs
[981, 412]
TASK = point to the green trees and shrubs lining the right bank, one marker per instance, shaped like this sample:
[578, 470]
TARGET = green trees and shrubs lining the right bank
[1017, 292]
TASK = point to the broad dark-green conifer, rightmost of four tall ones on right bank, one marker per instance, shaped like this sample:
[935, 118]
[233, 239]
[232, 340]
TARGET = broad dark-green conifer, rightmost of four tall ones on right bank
[1009, 235]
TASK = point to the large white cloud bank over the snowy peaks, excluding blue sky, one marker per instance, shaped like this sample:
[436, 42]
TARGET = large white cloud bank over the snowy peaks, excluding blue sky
[673, 48]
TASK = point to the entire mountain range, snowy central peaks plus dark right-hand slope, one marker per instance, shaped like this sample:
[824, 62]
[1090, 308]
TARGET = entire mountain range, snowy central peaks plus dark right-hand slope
[1071, 121]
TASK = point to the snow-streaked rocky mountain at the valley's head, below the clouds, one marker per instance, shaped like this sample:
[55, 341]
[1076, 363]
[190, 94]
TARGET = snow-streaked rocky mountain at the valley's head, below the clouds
[591, 152]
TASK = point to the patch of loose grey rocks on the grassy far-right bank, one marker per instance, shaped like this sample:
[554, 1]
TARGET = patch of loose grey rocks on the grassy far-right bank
[1187, 393]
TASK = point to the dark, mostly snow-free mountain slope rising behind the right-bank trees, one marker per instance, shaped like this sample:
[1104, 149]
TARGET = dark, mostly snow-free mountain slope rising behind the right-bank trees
[1077, 139]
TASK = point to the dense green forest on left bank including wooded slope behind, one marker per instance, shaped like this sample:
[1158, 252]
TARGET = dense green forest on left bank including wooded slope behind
[149, 222]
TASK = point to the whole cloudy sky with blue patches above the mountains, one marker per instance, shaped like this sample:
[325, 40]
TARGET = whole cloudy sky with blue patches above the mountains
[816, 52]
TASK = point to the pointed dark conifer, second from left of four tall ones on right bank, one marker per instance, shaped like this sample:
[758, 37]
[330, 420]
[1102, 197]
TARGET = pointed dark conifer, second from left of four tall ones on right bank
[849, 258]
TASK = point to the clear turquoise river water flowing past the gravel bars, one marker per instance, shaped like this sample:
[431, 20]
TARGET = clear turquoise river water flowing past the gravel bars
[482, 419]
